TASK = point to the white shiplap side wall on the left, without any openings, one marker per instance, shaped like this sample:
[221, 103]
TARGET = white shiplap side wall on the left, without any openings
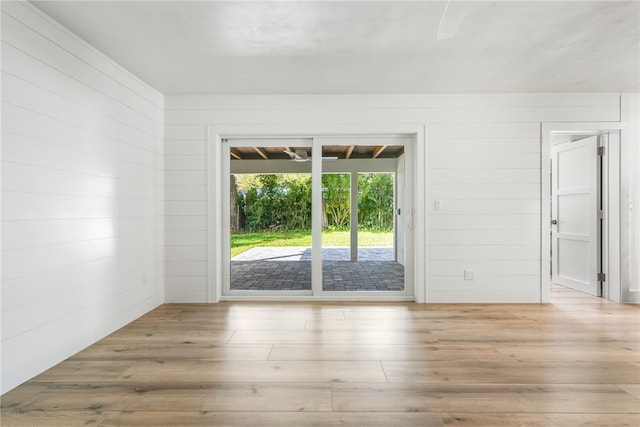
[82, 194]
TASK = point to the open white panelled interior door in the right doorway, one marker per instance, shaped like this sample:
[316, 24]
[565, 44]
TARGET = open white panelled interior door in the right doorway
[575, 215]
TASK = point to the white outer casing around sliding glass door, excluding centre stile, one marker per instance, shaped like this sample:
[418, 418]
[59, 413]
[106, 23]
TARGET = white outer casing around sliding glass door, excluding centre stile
[216, 194]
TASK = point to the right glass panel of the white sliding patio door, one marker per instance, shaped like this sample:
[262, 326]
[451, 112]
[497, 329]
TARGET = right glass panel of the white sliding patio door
[359, 198]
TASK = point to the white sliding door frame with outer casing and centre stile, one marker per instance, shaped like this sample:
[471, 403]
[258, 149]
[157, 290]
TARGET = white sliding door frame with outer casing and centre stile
[218, 171]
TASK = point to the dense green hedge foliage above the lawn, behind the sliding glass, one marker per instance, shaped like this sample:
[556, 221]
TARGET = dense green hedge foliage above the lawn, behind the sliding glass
[282, 202]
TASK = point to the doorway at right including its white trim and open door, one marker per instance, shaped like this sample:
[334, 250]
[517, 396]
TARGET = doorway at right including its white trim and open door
[580, 201]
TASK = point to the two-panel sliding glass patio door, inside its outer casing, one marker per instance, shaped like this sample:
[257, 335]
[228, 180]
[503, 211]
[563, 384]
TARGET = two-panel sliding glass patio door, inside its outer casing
[307, 218]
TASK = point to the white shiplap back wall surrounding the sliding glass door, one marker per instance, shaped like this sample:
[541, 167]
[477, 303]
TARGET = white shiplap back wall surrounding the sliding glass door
[483, 163]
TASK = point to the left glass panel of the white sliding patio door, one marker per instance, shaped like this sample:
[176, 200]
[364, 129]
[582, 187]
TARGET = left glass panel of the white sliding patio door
[270, 219]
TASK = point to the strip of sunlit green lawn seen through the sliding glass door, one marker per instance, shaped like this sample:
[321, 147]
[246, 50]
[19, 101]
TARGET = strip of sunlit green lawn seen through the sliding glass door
[241, 242]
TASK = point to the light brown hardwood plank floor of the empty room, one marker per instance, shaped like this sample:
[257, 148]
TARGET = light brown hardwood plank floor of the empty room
[575, 362]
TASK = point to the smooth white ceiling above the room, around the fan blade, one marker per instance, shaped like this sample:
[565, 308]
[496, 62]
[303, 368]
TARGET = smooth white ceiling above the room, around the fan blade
[329, 47]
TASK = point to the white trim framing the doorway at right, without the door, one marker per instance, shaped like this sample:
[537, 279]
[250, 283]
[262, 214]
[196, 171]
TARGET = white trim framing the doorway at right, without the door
[612, 247]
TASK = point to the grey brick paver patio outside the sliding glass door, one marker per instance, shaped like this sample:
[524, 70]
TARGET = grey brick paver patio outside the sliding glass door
[289, 268]
